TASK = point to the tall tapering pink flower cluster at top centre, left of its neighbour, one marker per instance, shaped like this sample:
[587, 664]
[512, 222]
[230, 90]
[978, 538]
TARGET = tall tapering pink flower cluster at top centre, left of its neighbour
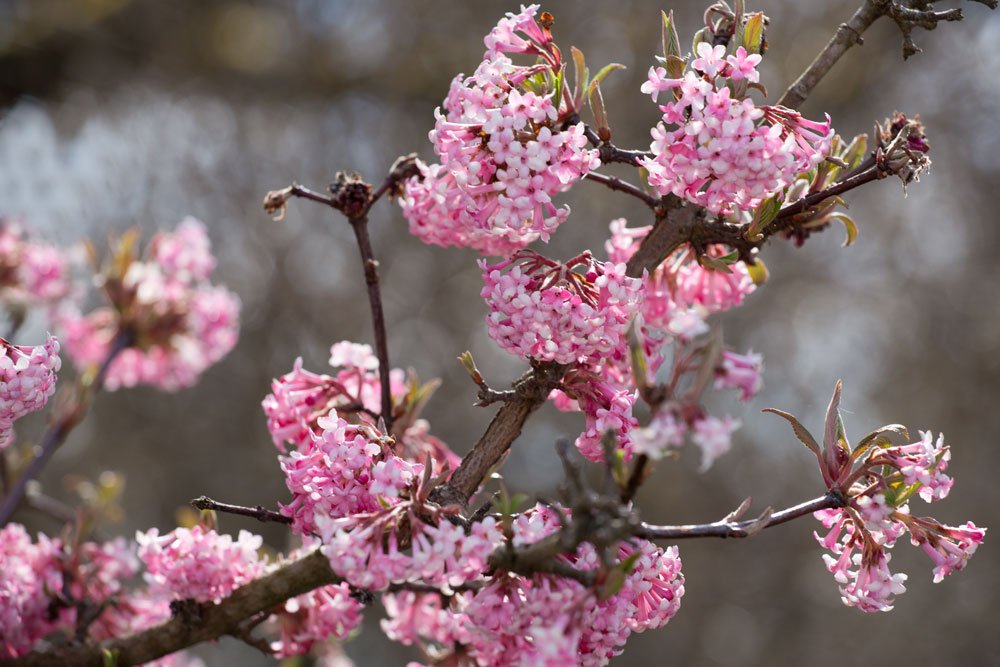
[504, 147]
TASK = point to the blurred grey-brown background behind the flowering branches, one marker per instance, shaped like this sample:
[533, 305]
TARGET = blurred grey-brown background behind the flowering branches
[116, 113]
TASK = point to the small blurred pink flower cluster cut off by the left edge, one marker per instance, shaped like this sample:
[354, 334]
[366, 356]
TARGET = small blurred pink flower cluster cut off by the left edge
[30, 272]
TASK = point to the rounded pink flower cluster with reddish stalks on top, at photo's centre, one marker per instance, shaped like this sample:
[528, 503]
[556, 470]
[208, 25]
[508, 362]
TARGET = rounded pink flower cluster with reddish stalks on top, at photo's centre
[548, 311]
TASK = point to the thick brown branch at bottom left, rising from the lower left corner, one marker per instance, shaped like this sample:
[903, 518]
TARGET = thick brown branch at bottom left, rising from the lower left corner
[182, 630]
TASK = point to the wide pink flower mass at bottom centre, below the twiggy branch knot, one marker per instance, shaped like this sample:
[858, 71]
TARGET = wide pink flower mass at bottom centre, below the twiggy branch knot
[545, 620]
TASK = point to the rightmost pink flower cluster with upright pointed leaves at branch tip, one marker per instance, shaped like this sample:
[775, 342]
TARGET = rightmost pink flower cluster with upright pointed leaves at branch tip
[875, 481]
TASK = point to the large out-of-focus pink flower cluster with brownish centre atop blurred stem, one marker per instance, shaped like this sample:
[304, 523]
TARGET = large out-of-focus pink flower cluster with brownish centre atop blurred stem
[174, 322]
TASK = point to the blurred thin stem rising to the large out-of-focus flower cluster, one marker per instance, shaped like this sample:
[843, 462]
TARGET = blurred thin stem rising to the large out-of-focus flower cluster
[62, 427]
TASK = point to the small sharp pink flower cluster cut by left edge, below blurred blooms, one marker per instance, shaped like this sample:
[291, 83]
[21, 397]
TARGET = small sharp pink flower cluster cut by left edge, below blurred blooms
[27, 380]
